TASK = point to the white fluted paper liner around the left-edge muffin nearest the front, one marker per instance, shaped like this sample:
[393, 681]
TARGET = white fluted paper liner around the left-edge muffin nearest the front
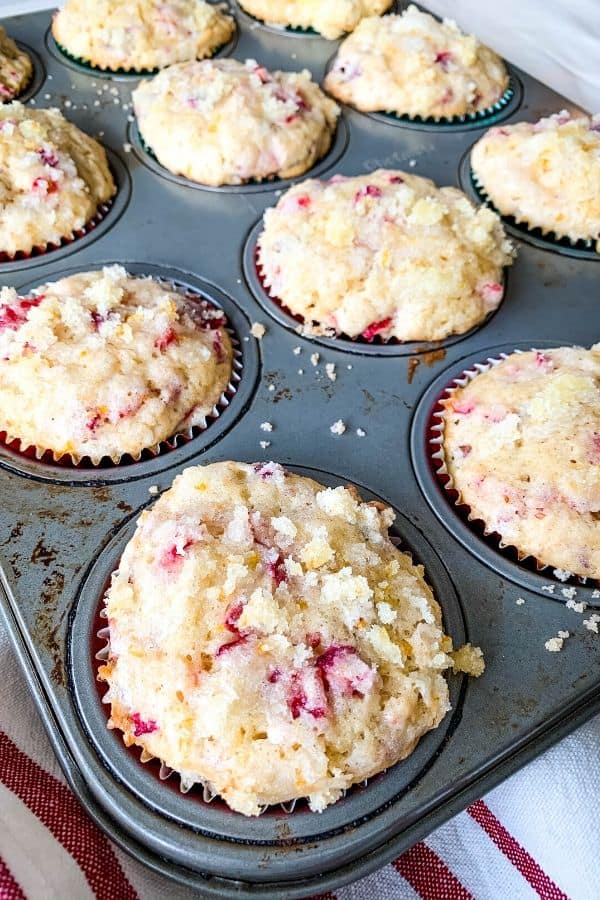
[183, 436]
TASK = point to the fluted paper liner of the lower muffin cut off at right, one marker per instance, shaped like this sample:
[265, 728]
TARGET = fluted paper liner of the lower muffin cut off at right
[435, 444]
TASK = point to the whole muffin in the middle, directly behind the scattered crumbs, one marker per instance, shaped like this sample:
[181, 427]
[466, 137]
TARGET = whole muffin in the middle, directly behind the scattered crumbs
[387, 254]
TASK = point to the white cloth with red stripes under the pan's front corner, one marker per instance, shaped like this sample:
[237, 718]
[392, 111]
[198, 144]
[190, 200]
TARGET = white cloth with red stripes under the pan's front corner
[49, 848]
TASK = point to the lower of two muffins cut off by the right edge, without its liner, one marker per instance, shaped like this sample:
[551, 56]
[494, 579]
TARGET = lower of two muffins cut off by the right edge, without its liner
[521, 443]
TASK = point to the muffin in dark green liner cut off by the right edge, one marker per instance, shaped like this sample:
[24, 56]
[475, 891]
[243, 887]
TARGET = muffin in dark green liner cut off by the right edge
[545, 175]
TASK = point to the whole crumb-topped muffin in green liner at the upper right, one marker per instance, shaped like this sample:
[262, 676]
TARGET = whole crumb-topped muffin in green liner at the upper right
[414, 65]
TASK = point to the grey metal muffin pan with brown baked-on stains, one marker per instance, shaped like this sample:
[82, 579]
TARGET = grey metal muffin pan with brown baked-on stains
[63, 528]
